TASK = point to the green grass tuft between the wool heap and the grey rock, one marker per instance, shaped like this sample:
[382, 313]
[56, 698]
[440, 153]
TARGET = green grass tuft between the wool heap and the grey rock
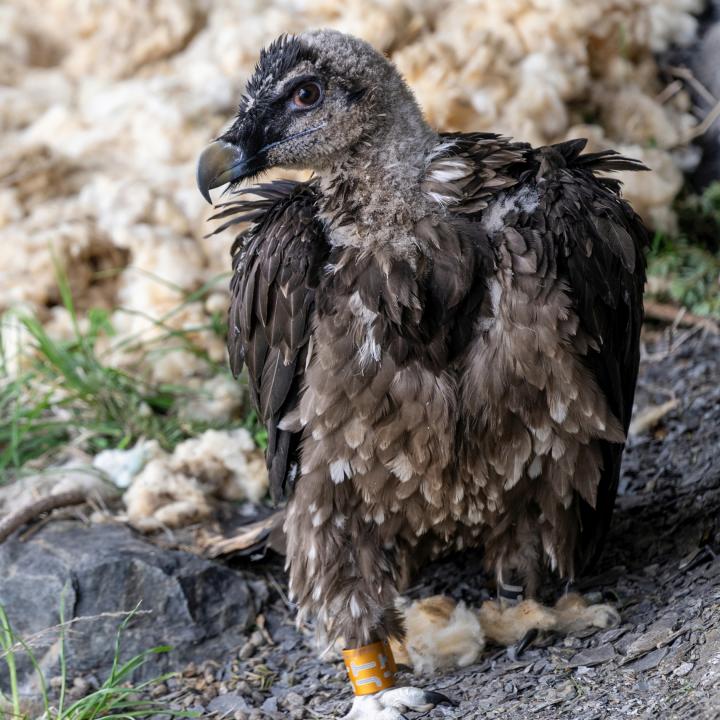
[66, 391]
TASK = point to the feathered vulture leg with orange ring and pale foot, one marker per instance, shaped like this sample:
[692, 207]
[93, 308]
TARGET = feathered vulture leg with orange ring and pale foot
[345, 573]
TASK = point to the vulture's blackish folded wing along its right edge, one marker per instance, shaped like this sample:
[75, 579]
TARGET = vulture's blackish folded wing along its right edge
[600, 249]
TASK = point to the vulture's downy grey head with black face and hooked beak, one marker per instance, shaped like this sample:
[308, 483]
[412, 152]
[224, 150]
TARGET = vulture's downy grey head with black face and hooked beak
[313, 101]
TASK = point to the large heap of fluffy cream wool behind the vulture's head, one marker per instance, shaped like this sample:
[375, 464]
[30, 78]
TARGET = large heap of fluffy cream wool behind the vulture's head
[105, 106]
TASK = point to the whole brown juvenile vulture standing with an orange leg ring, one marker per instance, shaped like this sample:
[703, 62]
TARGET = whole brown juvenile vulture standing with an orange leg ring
[441, 335]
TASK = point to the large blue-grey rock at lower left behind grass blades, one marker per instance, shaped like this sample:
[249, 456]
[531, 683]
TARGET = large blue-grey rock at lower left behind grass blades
[200, 608]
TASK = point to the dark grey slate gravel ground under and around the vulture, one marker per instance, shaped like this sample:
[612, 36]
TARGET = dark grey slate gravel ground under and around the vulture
[660, 569]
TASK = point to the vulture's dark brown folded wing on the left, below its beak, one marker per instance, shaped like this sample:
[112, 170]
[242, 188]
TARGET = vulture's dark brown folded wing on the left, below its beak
[275, 263]
